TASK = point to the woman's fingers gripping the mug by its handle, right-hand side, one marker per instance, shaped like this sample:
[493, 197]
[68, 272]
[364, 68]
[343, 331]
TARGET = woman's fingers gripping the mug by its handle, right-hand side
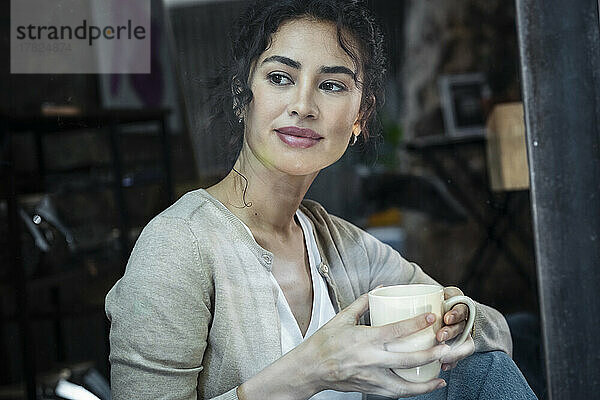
[454, 325]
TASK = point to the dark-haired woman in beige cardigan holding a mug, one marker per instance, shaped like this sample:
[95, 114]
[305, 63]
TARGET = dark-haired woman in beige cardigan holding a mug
[227, 280]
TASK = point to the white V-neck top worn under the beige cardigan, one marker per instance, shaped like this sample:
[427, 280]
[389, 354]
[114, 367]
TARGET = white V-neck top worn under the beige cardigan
[322, 308]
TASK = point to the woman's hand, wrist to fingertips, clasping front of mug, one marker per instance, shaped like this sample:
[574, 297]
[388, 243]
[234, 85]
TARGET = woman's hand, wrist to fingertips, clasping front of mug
[350, 357]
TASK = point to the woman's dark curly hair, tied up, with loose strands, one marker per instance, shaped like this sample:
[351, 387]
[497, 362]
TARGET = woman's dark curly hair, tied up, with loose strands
[358, 35]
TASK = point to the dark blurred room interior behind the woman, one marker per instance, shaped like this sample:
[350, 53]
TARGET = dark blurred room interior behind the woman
[94, 157]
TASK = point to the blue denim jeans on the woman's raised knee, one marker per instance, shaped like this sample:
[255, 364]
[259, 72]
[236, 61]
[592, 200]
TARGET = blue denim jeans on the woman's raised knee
[482, 376]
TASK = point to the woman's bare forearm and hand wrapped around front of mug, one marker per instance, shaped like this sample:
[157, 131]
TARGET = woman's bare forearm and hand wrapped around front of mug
[347, 357]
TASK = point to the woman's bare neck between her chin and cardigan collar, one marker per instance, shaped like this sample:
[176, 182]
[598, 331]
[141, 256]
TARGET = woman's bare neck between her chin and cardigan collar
[266, 200]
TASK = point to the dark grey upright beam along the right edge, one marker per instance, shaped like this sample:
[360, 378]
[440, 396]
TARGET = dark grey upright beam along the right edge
[560, 67]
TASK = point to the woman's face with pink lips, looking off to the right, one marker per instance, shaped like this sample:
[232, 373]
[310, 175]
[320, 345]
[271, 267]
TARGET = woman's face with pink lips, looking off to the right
[305, 101]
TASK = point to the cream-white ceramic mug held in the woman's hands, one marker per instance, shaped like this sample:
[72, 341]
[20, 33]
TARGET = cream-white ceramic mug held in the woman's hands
[397, 303]
